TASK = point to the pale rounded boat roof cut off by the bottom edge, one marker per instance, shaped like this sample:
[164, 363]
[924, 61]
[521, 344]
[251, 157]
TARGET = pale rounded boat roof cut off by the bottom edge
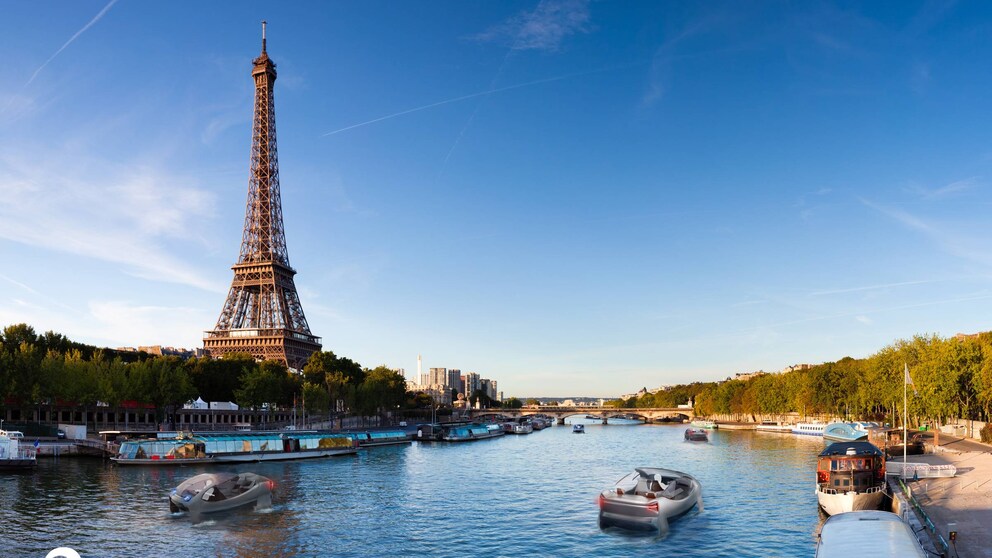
[867, 533]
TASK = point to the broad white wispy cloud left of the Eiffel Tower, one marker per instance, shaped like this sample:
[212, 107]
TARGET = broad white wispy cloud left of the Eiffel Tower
[90, 208]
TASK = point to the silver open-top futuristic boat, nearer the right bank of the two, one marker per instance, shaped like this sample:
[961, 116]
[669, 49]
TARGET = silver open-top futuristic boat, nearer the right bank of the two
[648, 499]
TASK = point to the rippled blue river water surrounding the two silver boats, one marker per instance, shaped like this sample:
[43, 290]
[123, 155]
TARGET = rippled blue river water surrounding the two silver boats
[529, 495]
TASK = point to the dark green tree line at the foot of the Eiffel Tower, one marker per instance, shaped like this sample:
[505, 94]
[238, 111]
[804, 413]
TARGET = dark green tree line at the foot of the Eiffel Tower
[49, 369]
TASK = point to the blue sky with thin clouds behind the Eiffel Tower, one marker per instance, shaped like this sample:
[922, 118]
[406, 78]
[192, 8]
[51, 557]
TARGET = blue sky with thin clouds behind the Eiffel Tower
[572, 198]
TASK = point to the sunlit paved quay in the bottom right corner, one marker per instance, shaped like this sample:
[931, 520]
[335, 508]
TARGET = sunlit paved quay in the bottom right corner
[962, 503]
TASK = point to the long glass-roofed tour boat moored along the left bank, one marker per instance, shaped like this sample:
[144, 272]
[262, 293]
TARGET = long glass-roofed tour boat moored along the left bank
[185, 448]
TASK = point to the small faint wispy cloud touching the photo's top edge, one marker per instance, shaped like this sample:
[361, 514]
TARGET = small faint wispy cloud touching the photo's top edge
[544, 28]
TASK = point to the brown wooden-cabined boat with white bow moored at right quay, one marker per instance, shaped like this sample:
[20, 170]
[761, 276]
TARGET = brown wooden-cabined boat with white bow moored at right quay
[850, 476]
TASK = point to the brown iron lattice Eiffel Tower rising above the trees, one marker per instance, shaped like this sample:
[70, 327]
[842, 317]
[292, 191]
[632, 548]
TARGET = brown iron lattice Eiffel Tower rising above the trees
[262, 315]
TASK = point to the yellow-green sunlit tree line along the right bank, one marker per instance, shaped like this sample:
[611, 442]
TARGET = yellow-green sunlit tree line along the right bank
[952, 378]
